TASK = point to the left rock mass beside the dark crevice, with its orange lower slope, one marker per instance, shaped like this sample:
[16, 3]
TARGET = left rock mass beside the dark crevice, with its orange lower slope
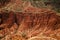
[7, 20]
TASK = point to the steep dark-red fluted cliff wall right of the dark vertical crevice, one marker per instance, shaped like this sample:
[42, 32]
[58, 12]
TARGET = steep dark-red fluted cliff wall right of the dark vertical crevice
[43, 19]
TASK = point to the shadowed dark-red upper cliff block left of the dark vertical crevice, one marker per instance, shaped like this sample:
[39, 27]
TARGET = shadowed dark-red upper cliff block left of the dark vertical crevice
[7, 18]
